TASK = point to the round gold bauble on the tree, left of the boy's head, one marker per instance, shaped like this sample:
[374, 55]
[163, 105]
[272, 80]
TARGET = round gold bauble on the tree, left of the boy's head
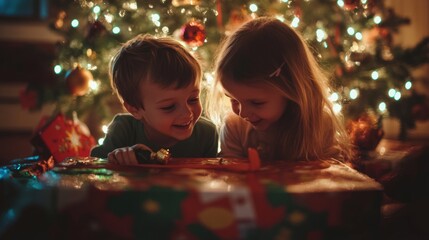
[77, 81]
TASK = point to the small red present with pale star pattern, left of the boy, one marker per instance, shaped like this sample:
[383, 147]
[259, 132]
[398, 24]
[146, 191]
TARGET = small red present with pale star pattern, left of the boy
[62, 138]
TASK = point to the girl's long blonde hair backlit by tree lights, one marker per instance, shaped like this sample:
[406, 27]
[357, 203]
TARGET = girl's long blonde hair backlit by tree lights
[265, 49]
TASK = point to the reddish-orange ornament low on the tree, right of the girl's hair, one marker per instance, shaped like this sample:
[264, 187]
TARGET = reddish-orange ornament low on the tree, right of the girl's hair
[365, 132]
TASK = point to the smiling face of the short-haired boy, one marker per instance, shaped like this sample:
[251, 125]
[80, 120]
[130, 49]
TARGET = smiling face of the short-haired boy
[169, 114]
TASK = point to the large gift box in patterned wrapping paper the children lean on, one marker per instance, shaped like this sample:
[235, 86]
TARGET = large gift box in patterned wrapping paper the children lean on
[304, 200]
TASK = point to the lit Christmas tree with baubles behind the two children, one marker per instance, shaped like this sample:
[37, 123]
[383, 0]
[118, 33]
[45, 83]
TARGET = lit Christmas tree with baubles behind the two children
[351, 39]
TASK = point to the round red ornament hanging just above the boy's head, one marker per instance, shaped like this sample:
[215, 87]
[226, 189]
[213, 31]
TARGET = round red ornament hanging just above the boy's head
[193, 33]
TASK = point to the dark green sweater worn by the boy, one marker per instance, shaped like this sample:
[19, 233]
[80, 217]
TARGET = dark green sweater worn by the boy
[126, 131]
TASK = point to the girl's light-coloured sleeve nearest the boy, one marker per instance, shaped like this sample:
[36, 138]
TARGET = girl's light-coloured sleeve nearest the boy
[231, 138]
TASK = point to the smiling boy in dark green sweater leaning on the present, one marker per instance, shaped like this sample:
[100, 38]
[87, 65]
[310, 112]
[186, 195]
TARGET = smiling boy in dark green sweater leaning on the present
[158, 82]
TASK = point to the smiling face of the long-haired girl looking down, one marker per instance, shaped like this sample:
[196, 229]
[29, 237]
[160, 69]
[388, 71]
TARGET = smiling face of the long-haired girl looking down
[260, 104]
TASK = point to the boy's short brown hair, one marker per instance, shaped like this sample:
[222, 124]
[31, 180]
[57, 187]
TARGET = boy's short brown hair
[162, 60]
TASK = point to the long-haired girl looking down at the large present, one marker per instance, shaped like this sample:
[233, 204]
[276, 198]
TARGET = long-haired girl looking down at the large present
[278, 95]
